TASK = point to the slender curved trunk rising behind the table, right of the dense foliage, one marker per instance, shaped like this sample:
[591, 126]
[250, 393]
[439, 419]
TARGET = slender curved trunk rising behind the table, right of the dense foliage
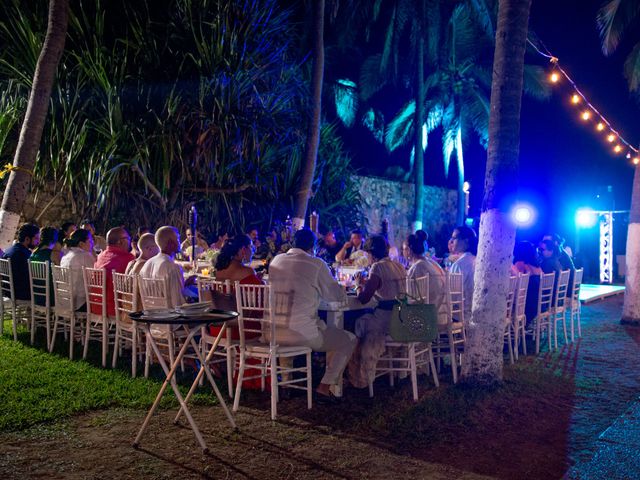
[313, 139]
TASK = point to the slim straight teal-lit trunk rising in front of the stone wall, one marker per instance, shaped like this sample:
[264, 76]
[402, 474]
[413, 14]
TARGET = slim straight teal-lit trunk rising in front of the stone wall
[418, 121]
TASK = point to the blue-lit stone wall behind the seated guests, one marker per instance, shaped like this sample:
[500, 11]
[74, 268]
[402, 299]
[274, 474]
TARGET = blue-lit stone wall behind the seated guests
[382, 198]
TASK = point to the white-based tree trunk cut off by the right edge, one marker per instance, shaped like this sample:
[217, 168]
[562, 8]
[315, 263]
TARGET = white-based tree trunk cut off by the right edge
[631, 307]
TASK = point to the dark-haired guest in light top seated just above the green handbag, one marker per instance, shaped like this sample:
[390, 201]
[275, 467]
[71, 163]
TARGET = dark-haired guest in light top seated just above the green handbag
[414, 250]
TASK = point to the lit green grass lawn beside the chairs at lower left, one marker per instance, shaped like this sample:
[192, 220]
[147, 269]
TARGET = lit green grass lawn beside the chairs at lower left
[37, 386]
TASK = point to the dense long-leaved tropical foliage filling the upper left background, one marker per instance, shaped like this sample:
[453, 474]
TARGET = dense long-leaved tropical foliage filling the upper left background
[161, 105]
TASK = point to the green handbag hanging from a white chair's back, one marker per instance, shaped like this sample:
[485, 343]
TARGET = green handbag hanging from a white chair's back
[413, 322]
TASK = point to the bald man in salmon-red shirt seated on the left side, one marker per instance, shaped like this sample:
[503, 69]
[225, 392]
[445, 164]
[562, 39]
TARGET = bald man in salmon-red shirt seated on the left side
[115, 258]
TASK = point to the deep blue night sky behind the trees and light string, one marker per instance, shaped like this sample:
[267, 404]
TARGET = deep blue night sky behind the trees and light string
[564, 162]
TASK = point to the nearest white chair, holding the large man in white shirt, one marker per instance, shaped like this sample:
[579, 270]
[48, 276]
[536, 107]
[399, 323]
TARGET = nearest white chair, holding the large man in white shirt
[258, 301]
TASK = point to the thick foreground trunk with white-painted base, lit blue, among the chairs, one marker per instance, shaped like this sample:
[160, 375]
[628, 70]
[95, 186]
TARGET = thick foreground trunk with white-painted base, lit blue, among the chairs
[483, 351]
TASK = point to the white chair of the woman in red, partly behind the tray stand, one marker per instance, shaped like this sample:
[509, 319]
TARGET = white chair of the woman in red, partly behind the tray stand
[227, 347]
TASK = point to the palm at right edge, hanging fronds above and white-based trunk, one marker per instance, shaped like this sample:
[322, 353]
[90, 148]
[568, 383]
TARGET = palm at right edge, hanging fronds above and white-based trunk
[614, 19]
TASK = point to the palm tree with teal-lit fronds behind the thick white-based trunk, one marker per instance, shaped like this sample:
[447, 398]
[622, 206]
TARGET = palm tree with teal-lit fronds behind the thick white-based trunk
[457, 89]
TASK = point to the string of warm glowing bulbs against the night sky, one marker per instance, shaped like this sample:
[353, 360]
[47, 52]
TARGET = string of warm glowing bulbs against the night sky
[589, 112]
